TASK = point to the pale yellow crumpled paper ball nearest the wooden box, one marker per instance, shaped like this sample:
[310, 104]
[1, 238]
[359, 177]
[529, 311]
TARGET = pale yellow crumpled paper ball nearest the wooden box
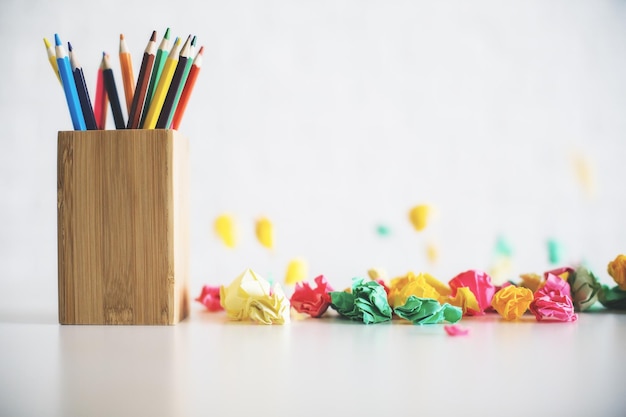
[250, 297]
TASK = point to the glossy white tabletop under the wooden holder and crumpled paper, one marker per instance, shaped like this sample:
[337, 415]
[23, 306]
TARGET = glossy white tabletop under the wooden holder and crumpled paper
[208, 366]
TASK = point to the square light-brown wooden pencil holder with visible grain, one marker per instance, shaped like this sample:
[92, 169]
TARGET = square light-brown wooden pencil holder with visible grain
[123, 231]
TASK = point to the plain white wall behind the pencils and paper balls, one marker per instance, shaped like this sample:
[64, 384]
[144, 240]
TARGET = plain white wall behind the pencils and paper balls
[332, 116]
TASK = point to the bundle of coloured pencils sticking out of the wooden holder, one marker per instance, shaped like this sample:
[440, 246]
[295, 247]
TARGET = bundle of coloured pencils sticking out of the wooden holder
[157, 99]
